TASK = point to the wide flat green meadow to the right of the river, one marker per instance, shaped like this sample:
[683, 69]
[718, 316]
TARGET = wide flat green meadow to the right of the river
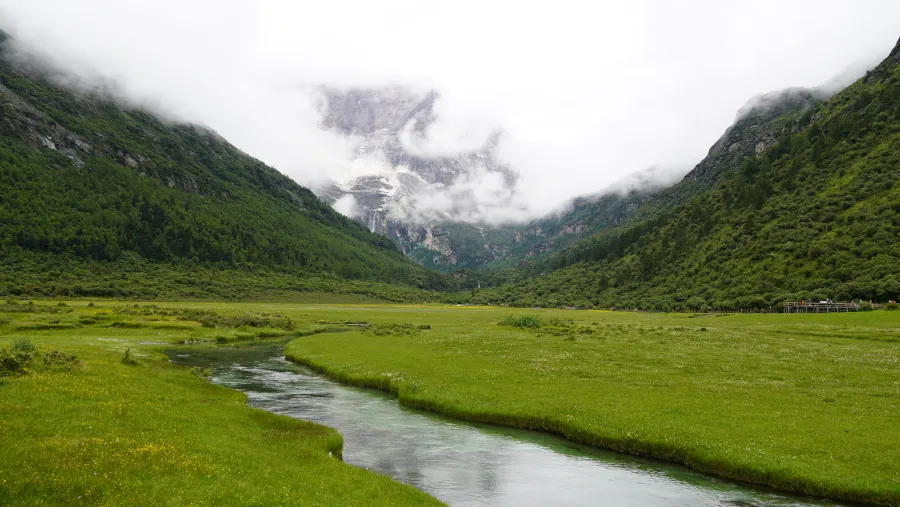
[804, 403]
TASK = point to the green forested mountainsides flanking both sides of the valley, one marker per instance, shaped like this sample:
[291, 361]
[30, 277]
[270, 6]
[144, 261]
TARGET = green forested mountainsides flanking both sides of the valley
[795, 201]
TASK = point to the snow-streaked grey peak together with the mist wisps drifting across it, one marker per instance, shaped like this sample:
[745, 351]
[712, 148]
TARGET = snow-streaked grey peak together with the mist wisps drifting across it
[397, 182]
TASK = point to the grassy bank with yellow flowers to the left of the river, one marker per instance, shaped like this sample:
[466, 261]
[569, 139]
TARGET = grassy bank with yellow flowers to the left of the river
[108, 433]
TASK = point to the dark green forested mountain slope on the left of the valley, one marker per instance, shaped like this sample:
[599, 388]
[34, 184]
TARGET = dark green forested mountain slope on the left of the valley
[88, 182]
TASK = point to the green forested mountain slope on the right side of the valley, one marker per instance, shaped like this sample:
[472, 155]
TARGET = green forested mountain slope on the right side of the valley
[814, 212]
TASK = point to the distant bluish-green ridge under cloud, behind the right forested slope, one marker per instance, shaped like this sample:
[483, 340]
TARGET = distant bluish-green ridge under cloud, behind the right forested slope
[459, 246]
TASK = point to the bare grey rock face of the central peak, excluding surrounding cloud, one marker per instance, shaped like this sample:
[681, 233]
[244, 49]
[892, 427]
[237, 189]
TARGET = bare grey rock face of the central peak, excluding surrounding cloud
[390, 200]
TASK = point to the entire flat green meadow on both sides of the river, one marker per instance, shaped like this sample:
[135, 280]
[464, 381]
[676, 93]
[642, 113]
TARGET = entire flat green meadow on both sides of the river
[807, 403]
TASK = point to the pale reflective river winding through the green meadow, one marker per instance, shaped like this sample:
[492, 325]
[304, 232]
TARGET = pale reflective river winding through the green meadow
[463, 463]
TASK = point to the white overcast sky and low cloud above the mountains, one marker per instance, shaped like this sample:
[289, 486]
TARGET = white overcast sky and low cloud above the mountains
[589, 92]
